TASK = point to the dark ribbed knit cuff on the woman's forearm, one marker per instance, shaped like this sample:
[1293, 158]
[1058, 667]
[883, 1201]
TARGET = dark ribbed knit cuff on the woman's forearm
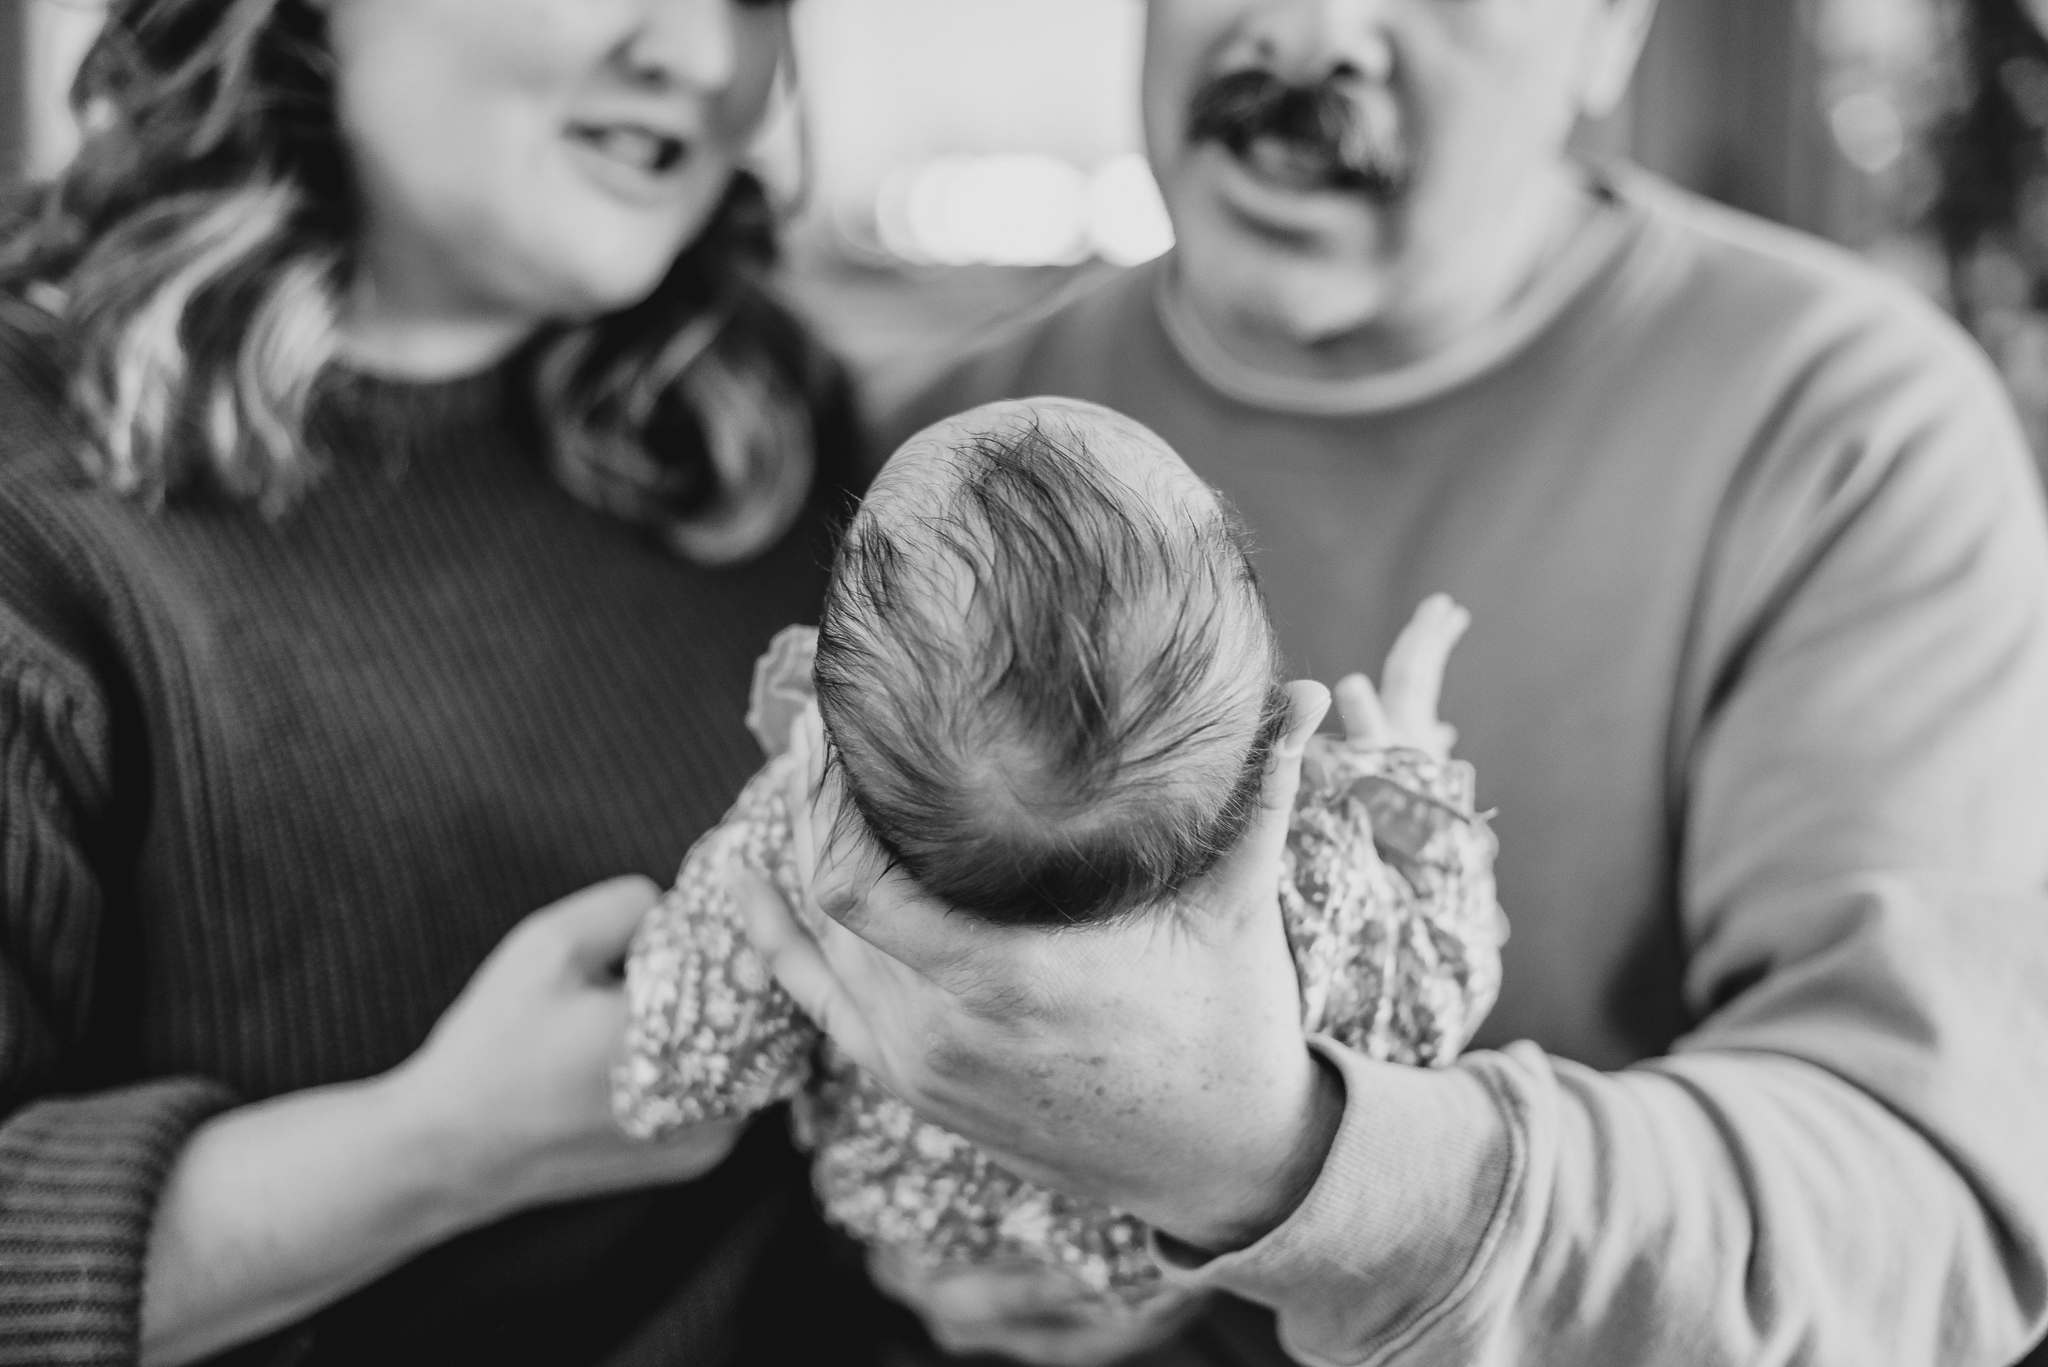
[79, 1190]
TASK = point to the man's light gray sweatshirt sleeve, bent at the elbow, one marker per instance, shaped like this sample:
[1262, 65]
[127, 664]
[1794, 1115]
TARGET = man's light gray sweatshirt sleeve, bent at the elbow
[1846, 1161]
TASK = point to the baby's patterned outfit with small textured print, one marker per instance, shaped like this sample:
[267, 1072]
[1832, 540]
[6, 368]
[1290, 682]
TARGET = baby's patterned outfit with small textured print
[1388, 895]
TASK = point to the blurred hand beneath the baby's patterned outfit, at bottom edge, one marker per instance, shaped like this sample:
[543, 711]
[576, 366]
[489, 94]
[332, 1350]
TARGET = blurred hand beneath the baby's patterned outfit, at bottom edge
[1023, 1313]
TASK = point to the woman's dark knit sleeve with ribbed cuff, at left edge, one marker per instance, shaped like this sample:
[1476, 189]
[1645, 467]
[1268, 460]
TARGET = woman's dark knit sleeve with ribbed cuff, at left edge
[79, 1171]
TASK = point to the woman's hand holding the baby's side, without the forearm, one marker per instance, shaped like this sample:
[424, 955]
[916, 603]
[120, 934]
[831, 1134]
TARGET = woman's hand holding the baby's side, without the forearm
[517, 1075]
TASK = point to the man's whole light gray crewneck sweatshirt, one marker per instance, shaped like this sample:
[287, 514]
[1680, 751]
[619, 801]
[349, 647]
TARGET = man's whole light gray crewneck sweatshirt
[1760, 692]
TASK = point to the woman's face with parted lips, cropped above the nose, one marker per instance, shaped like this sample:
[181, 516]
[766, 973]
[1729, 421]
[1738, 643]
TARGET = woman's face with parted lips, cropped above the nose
[544, 159]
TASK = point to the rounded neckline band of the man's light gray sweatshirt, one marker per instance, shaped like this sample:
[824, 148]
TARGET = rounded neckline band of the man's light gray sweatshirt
[1586, 257]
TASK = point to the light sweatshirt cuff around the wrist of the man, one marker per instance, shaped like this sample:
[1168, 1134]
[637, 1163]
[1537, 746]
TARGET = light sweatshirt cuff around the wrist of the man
[1398, 1227]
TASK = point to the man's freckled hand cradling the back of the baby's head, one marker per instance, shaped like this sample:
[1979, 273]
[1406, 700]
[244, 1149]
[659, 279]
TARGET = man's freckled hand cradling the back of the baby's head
[1156, 1063]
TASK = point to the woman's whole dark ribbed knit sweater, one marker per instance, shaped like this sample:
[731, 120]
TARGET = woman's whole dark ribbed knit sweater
[269, 792]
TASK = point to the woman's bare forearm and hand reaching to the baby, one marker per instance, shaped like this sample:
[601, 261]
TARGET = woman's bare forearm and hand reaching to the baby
[282, 1208]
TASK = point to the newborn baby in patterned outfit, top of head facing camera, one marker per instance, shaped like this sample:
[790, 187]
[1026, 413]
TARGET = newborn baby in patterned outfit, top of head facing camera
[1052, 690]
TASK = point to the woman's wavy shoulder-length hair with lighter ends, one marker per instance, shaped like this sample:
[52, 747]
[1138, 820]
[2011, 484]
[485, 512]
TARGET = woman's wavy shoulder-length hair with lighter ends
[200, 245]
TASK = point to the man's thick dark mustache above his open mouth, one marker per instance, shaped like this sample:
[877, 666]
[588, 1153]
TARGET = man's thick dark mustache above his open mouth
[1334, 134]
